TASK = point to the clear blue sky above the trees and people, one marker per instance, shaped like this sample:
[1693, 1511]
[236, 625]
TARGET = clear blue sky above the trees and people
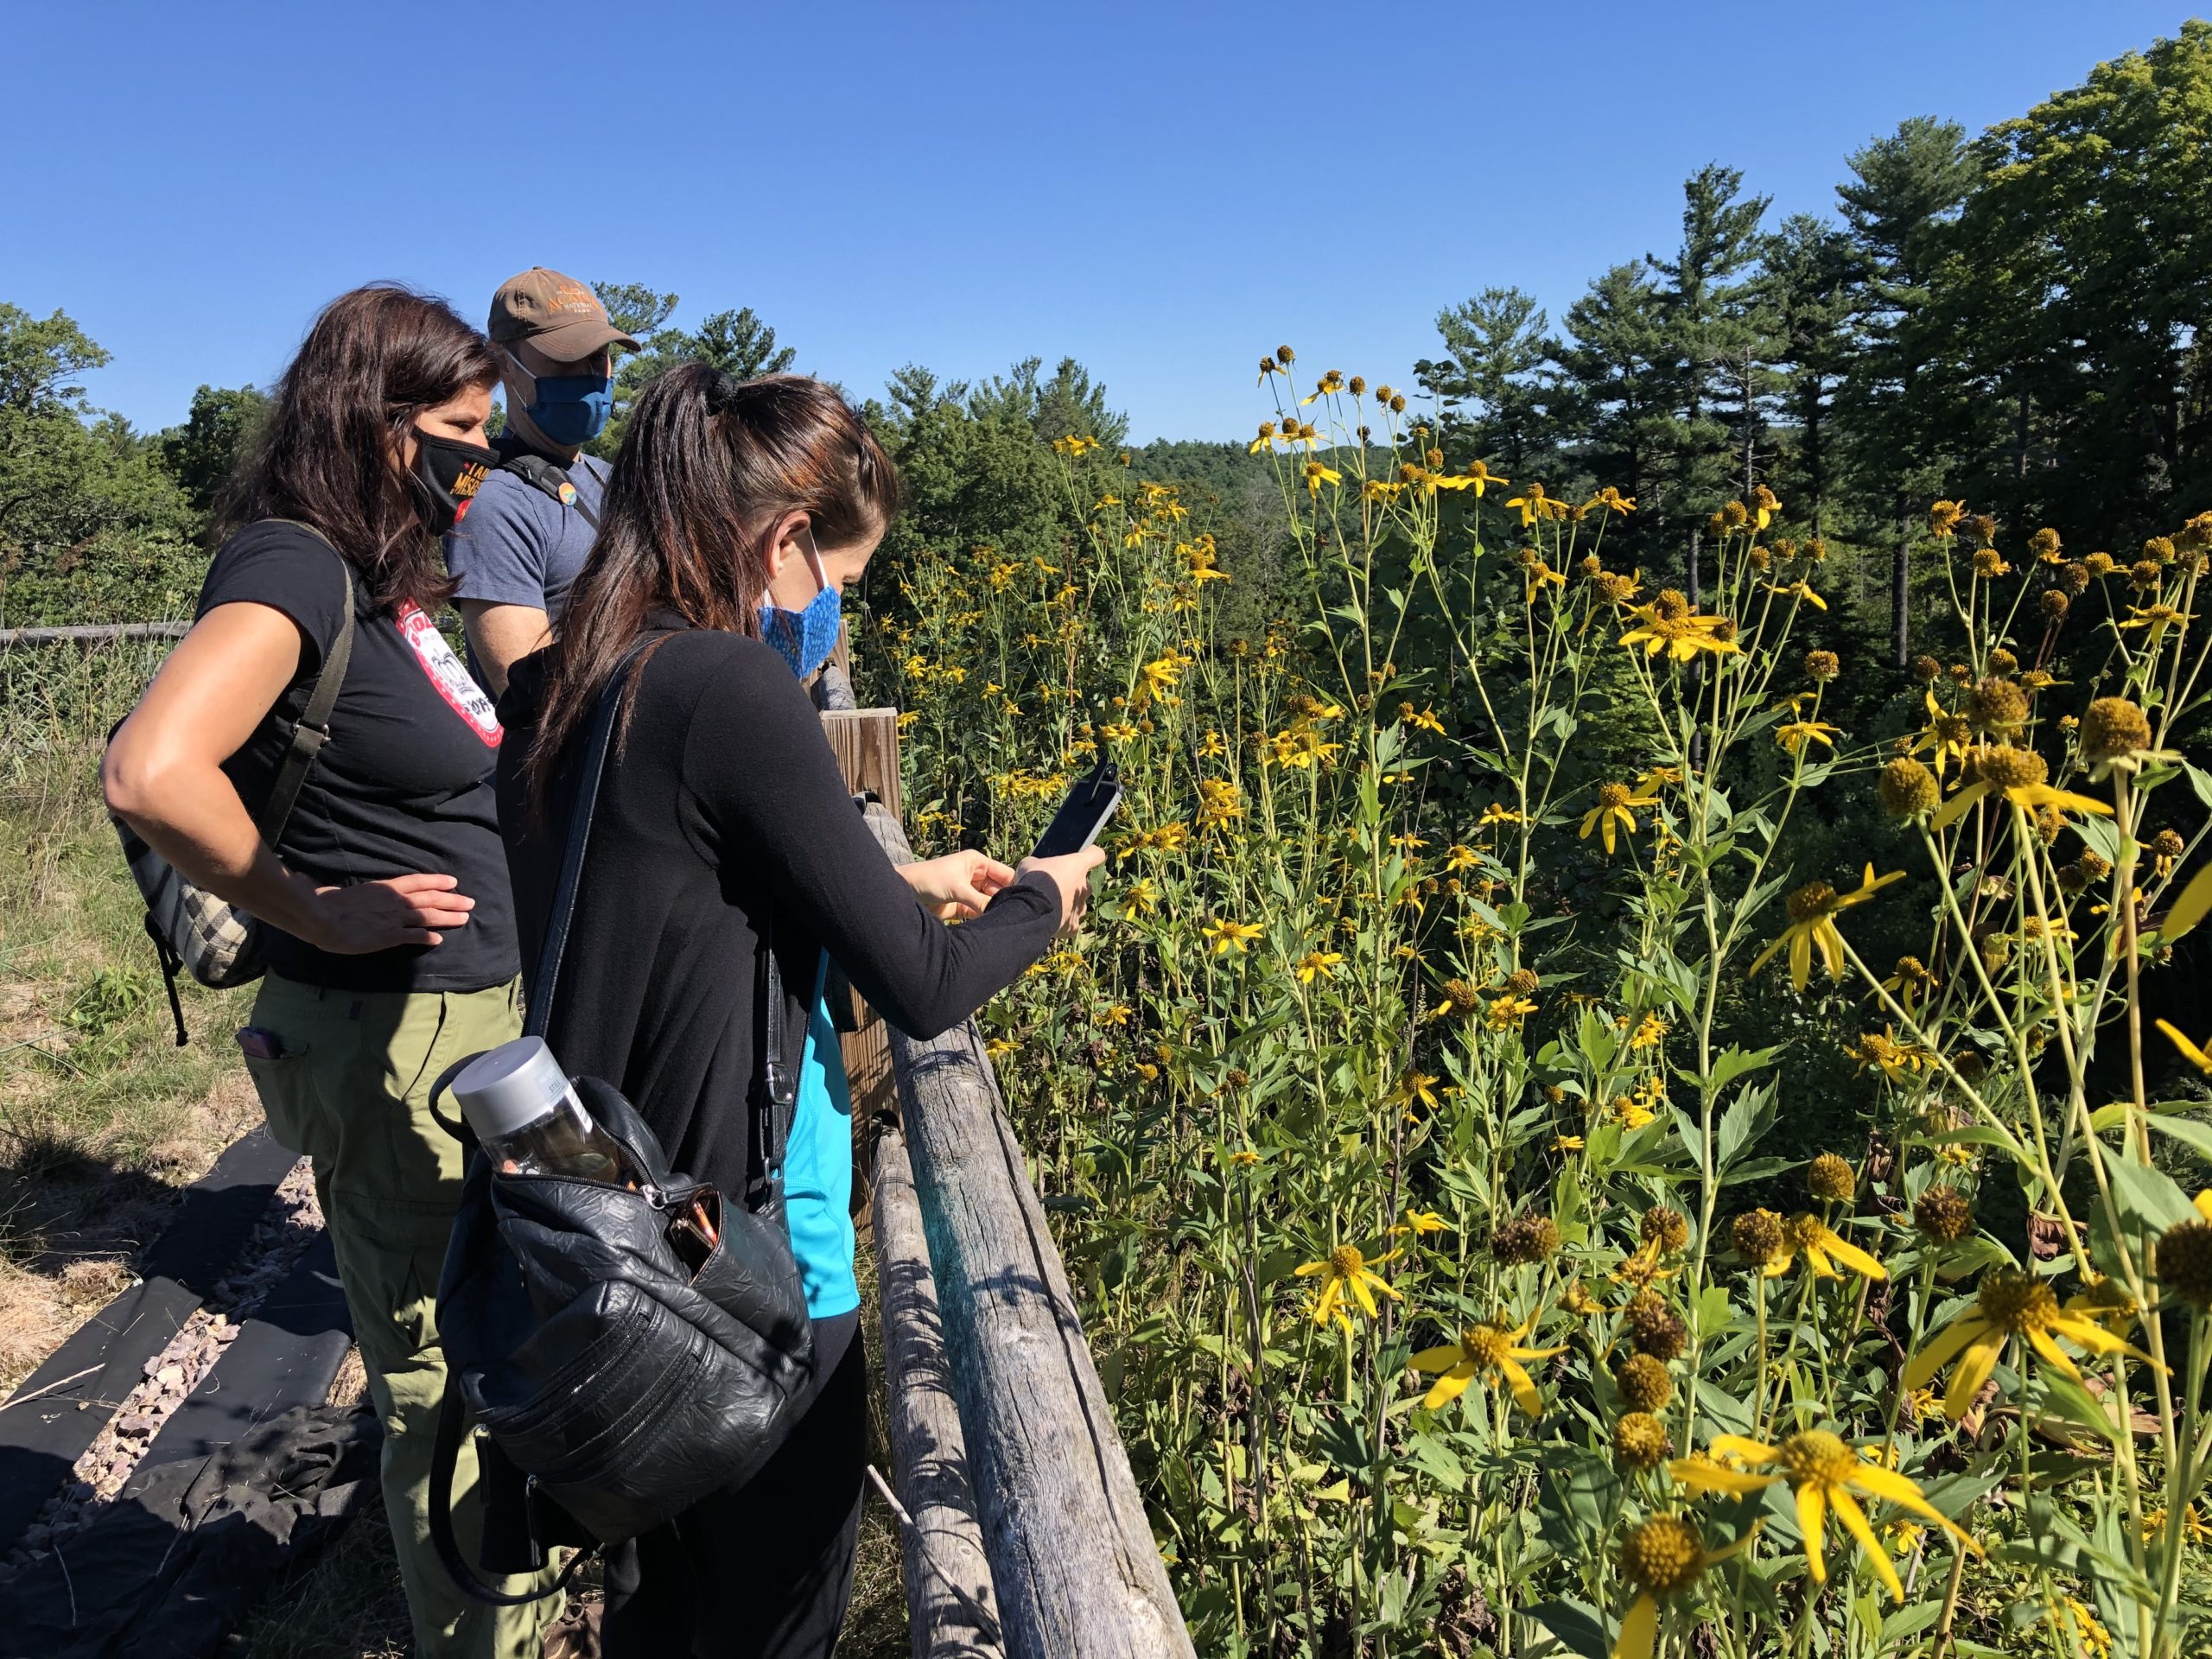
[1158, 191]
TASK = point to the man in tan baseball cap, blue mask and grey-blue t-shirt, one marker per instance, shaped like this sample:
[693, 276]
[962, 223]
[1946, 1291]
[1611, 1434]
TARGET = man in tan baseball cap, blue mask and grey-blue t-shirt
[530, 528]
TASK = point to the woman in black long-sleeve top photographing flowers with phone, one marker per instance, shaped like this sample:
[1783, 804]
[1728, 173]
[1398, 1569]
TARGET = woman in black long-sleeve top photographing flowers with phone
[735, 519]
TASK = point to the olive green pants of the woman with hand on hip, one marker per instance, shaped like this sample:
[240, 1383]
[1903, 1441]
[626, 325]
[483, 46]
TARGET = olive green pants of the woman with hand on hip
[353, 1094]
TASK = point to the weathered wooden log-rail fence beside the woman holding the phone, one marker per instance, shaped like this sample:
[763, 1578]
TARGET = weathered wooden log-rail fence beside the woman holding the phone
[1025, 1534]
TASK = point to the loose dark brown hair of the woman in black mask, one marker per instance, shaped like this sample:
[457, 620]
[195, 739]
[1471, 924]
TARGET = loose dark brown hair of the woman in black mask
[328, 452]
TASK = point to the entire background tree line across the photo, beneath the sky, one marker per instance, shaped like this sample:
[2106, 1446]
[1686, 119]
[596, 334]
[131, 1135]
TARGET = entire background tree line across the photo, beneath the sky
[2012, 320]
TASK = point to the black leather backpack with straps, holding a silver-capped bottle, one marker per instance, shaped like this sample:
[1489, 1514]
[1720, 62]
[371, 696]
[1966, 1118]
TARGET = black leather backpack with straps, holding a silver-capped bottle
[616, 1368]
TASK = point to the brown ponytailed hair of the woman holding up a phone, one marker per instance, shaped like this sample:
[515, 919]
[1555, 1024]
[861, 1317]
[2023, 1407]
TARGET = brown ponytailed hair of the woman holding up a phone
[707, 470]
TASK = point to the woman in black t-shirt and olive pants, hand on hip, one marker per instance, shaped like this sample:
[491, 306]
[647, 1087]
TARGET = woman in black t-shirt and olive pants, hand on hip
[386, 904]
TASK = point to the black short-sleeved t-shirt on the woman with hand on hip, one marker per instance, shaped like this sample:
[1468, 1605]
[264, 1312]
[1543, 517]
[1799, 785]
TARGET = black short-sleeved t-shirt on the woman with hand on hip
[404, 784]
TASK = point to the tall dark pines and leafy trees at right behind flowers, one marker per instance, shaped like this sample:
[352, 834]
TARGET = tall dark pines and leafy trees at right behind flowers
[2012, 320]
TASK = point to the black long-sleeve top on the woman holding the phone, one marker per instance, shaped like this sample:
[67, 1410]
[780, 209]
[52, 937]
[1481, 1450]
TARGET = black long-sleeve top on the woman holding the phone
[724, 800]
